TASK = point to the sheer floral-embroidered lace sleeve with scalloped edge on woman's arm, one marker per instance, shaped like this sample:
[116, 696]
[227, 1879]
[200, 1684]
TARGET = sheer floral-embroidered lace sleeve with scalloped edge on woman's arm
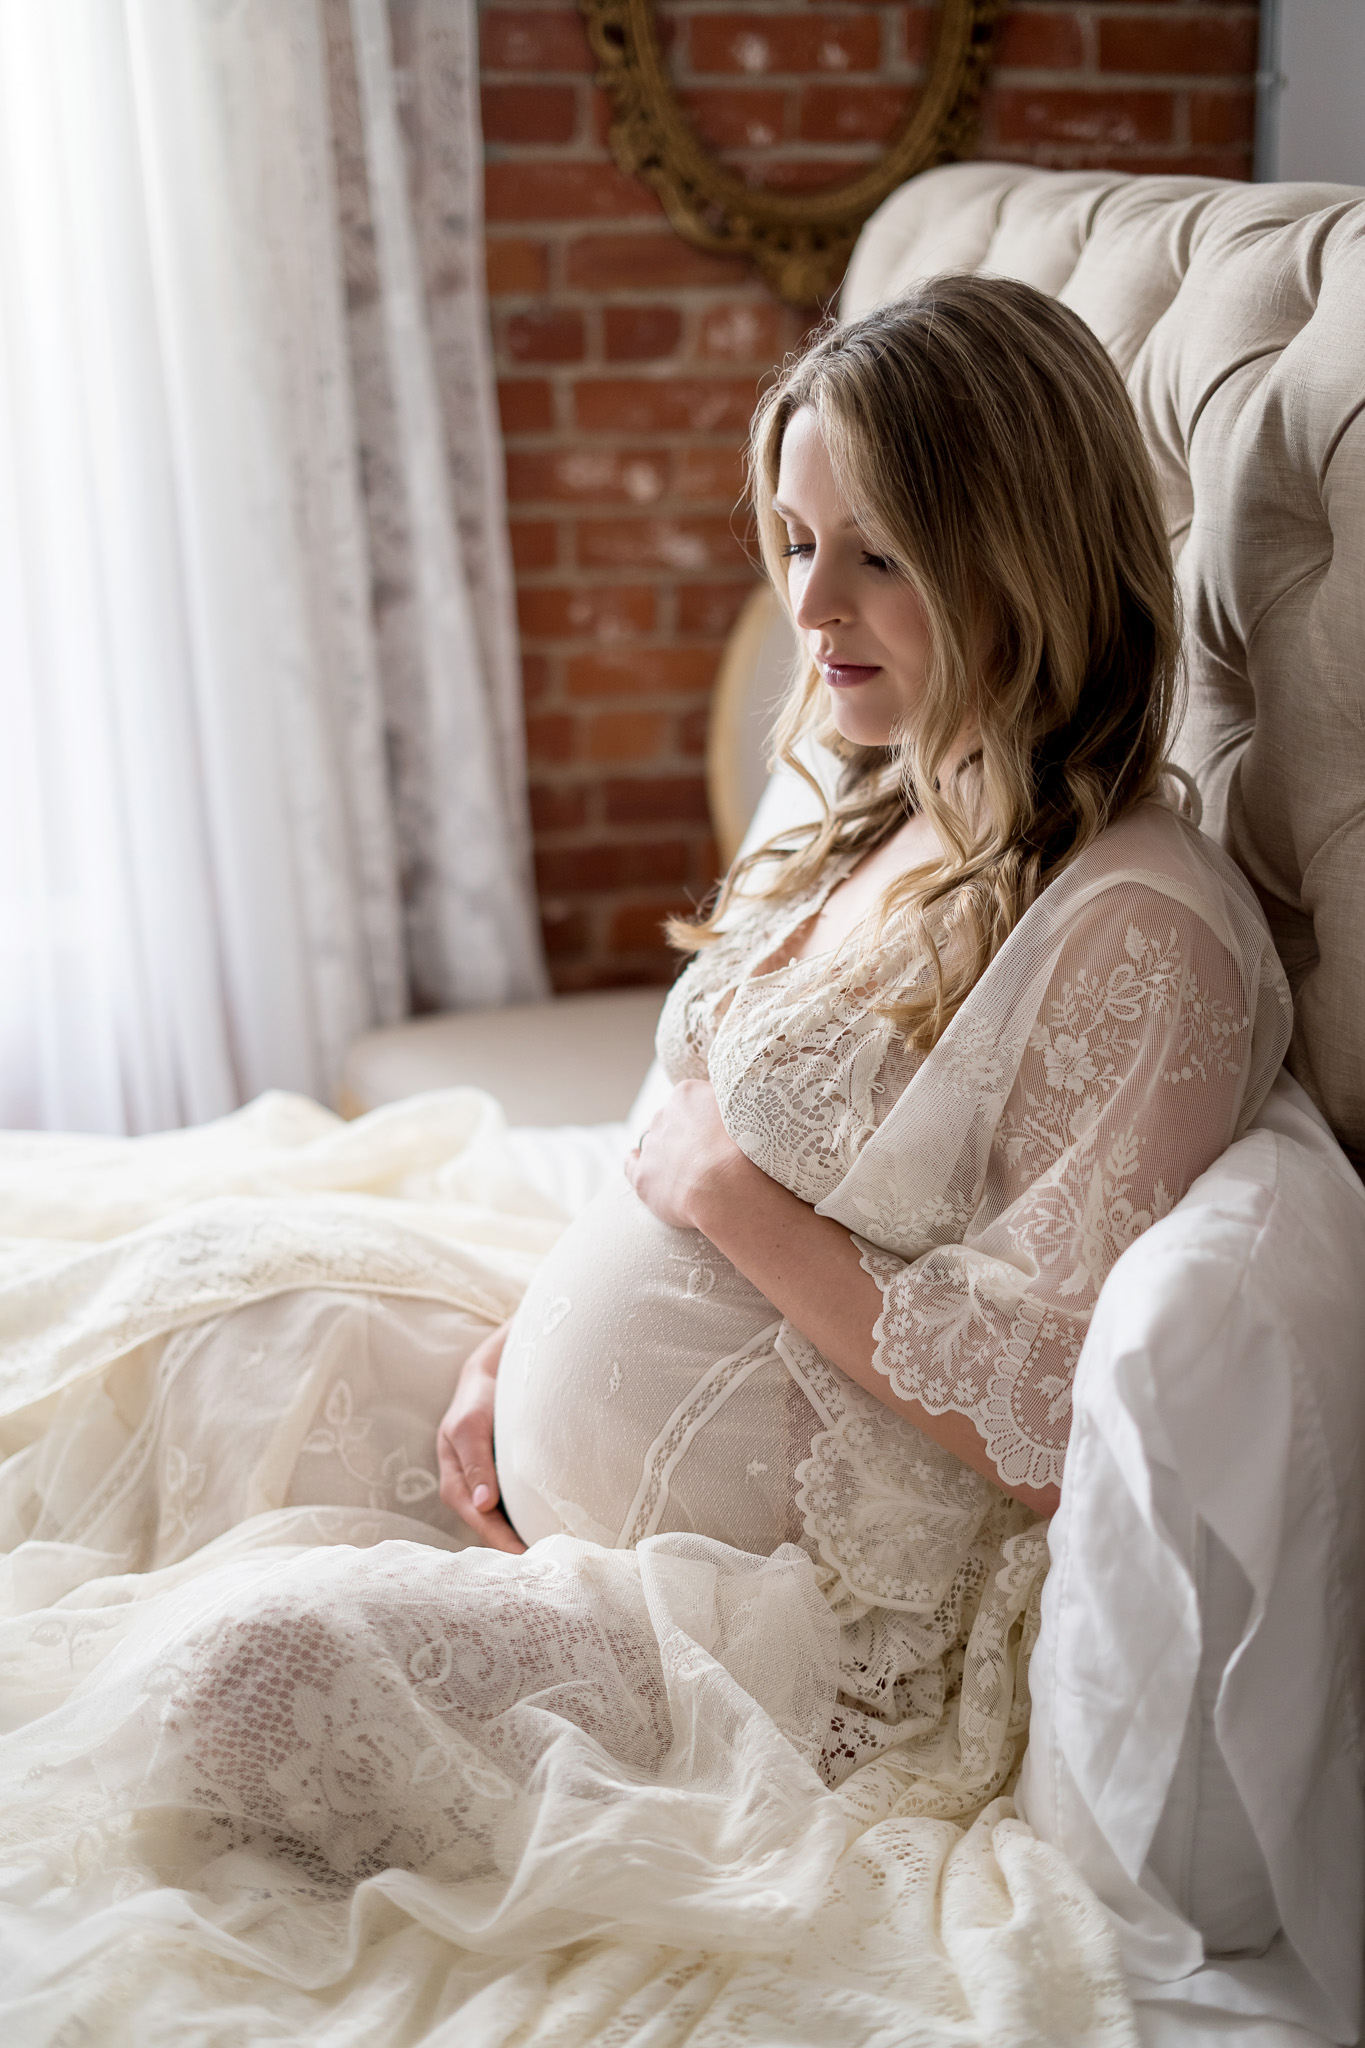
[1129, 1082]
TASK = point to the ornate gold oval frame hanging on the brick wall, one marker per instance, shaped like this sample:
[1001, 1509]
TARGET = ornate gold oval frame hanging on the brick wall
[801, 243]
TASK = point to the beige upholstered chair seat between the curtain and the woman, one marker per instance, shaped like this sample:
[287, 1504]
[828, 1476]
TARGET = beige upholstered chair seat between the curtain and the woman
[570, 1062]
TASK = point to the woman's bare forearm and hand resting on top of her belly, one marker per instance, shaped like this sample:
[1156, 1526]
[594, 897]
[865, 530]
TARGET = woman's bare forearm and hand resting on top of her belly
[695, 1177]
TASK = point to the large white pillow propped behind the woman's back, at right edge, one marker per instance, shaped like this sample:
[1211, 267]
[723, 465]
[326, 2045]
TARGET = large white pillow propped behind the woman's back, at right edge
[1196, 1684]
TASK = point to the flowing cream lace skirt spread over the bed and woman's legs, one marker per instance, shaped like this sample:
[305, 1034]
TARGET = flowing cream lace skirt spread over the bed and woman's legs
[285, 1760]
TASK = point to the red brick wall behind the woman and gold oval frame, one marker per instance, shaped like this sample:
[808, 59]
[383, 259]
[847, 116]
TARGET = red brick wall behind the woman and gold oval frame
[629, 366]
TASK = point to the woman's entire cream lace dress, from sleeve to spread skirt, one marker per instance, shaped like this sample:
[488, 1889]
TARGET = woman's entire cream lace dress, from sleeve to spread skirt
[715, 1762]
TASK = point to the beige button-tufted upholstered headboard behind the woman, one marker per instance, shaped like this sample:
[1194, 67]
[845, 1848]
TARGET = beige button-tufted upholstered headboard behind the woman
[1237, 314]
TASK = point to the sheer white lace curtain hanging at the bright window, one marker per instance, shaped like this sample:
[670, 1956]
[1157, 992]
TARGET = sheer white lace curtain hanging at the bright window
[259, 679]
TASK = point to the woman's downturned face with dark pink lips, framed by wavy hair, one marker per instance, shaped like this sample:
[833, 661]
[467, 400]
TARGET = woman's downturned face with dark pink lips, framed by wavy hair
[863, 624]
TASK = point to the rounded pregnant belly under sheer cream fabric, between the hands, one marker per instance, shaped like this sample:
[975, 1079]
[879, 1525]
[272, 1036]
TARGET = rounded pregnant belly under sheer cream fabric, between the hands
[642, 1390]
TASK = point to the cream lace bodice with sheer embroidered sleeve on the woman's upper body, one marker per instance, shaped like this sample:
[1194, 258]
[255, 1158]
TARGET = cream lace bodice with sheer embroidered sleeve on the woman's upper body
[1118, 1043]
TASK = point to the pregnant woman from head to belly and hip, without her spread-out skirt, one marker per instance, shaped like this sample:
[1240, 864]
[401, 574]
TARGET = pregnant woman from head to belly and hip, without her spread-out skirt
[936, 1062]
